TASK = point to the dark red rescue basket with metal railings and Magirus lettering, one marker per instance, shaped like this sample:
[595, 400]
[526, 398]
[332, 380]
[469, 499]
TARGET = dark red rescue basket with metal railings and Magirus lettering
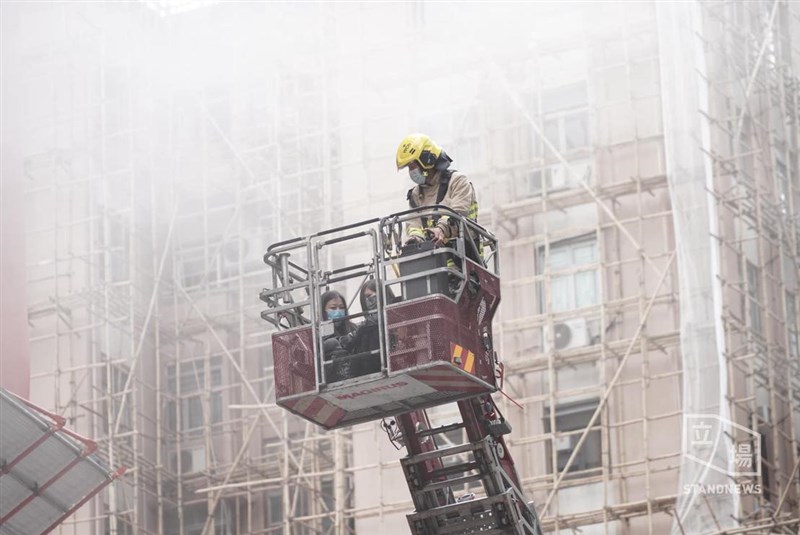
[433, 342]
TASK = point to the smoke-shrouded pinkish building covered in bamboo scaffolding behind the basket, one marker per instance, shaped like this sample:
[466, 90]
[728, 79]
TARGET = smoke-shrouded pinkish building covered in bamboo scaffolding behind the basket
[165, 145]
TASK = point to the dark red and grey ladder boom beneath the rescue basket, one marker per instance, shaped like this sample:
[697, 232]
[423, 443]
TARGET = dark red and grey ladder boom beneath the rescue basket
[436, 475]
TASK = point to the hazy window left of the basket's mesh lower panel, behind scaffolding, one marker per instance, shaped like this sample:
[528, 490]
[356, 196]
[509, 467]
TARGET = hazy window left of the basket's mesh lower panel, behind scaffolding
[192, 387]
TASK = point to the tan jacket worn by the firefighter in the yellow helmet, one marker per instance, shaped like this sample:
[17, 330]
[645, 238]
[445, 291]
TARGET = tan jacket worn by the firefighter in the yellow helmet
[460, 198]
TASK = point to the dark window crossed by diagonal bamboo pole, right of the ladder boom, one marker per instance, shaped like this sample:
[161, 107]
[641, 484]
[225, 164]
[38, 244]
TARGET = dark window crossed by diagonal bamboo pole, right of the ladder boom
[570, 420]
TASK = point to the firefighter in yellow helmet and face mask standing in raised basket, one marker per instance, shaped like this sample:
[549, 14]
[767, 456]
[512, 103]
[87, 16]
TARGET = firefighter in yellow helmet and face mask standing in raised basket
[429, 167]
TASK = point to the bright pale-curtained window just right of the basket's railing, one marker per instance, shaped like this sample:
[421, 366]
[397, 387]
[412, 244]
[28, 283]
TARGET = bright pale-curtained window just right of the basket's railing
[574, 279]
